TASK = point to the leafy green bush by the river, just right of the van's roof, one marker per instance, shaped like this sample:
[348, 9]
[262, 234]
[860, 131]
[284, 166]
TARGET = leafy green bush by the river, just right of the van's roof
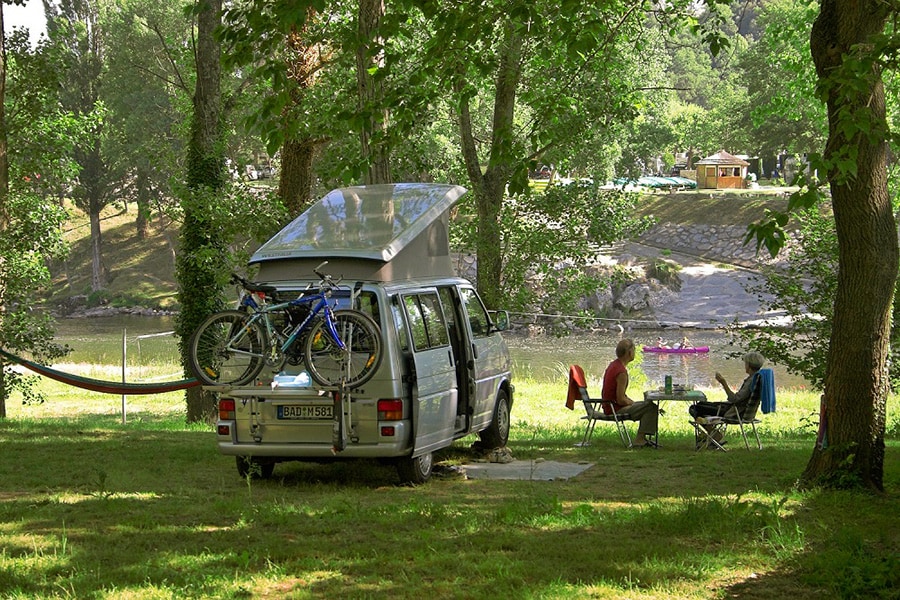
[550, 240]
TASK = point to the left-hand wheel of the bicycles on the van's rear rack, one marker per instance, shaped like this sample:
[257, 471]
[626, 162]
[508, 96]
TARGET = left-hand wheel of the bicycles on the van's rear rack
[227, 350]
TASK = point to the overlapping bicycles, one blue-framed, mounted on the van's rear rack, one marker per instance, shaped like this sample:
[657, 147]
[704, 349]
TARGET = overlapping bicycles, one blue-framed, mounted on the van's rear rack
[339, 347]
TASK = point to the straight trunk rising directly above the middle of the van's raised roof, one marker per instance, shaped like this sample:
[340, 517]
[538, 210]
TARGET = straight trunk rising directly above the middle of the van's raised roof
[373, 136]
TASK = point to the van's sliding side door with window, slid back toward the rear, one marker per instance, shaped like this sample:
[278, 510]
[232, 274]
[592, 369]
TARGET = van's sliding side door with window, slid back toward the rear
[434, 387]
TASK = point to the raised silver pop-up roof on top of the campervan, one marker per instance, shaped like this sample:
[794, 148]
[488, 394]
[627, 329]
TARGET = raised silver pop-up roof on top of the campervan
[381, 232]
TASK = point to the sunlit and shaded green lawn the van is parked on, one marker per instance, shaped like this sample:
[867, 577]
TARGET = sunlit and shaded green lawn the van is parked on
[91, 508]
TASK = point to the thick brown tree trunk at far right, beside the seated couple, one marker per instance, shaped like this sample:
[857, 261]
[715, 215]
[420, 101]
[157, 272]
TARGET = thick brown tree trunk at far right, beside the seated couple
[850, 452]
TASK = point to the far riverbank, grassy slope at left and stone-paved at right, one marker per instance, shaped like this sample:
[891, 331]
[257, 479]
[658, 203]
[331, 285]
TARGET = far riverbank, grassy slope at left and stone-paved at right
[700, 231]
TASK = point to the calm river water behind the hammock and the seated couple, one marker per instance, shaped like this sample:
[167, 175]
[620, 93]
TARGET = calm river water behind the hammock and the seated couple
[545, 358]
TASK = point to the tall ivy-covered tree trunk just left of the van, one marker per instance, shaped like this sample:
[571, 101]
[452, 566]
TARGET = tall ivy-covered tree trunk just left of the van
[199, 288]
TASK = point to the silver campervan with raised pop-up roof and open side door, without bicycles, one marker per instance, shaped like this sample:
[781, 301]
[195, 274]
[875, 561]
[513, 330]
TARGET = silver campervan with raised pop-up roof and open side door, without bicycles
[445, 370]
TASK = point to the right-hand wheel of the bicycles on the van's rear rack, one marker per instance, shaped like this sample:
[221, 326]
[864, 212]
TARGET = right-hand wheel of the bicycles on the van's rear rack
[329, 365]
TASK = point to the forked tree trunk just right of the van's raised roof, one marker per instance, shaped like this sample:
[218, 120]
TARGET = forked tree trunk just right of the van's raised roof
[489, 188]
